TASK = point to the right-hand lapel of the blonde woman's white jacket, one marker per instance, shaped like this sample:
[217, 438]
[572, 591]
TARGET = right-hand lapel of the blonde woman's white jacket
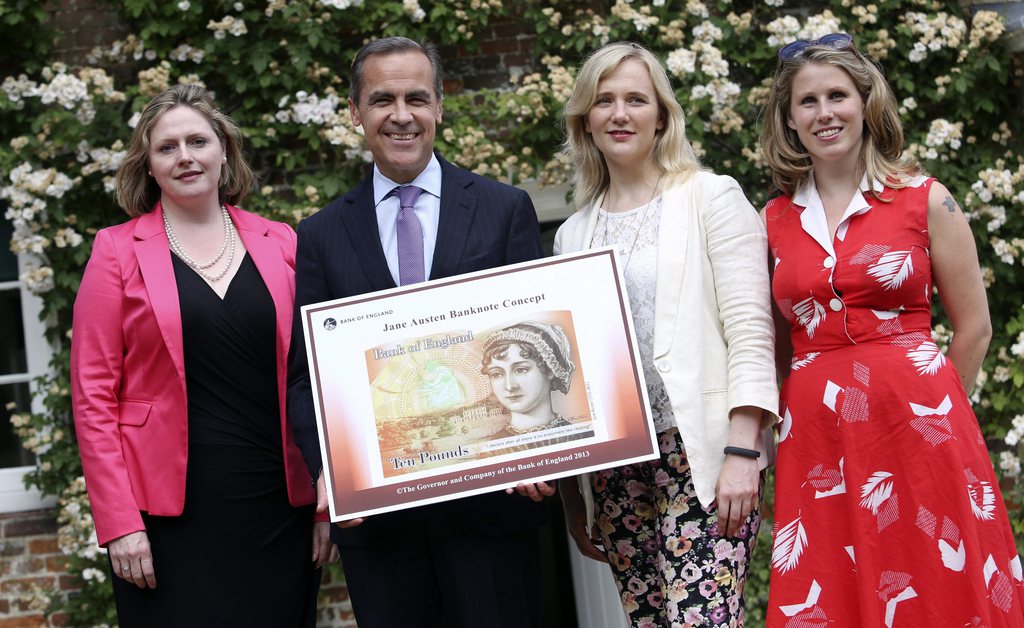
[673, 239]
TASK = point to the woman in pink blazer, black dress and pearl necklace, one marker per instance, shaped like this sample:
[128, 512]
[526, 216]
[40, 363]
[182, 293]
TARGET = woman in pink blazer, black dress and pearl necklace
[182, 333]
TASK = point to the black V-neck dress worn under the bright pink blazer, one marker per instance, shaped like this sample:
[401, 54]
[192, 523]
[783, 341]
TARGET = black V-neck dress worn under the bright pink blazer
[240, 555]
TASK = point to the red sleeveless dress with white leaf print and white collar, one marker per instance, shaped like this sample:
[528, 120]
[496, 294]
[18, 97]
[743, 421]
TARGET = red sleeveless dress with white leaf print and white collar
[887, 509]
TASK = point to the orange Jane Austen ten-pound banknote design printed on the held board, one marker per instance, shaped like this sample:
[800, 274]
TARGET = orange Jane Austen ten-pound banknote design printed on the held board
[468, 395]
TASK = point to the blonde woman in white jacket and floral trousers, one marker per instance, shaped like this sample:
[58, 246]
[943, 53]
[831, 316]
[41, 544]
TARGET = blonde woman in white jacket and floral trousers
[677, 531]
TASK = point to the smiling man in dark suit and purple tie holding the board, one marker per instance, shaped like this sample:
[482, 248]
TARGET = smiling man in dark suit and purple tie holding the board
[466, 563]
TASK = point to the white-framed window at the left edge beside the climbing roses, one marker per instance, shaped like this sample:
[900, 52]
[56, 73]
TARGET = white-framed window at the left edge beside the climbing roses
[24, 356]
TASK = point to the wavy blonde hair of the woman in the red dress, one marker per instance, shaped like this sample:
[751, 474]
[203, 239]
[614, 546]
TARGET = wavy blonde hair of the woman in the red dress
[882, 157]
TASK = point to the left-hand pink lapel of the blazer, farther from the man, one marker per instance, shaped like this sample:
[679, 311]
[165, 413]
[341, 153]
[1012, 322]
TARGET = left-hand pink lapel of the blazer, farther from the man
[154, 257]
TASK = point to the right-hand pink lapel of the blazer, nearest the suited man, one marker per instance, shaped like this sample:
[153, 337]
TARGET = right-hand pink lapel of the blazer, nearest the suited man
[277, 267]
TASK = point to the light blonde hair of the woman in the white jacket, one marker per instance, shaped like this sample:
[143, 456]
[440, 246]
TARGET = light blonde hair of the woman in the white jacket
[672, 154]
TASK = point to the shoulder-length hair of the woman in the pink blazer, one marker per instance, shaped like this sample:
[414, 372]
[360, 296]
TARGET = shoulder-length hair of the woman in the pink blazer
[138, 193]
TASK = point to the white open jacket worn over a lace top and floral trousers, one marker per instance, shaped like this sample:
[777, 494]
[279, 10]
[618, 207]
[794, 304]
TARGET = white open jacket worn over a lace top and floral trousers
[714, 337]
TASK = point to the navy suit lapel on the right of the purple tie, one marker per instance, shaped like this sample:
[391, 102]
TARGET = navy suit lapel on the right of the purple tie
[457, 212]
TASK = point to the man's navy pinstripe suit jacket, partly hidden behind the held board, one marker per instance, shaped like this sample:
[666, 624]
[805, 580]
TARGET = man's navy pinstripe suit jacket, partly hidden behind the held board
[483, 225]
